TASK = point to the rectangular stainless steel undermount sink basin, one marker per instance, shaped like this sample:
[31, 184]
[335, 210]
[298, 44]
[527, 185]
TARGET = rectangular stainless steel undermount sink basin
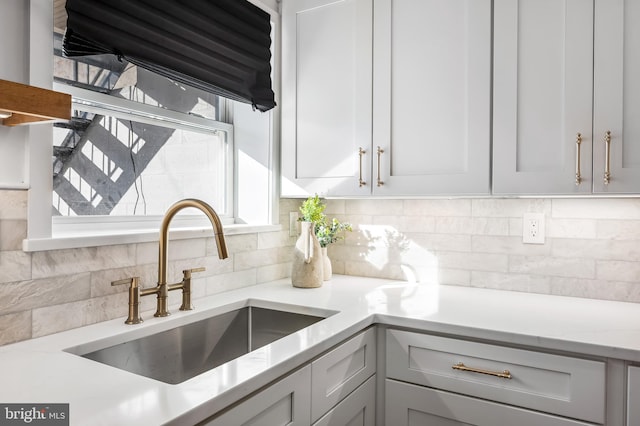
[178, 354]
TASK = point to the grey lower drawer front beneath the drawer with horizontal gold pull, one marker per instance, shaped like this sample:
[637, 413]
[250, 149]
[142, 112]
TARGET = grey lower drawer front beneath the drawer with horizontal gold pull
[411, 405]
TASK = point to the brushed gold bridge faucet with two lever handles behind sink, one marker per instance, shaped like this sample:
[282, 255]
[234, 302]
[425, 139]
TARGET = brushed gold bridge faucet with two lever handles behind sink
[162, 289]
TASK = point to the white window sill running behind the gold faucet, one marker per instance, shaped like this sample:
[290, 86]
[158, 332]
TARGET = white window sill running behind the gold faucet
[78, 240]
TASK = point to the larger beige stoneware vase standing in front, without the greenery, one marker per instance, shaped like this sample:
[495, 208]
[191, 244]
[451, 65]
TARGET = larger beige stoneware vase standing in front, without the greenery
[306, 268]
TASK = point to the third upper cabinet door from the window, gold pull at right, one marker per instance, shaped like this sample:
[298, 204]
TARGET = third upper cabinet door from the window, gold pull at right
[543, 77]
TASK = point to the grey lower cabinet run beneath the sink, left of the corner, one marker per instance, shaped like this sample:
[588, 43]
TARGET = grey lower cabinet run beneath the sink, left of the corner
[336, 389]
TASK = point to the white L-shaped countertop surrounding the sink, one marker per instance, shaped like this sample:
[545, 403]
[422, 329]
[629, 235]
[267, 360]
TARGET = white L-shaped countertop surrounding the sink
[39, 371]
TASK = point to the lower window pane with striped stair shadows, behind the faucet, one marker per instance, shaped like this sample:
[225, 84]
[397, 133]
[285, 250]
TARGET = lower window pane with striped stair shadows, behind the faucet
[103, 165]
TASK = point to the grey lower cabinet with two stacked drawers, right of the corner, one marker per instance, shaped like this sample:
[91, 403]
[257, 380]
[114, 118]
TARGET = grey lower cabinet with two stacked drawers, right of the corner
[538, 384]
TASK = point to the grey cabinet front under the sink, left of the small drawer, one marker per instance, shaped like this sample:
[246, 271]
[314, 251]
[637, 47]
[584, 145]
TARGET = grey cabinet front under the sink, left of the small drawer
[287, 402]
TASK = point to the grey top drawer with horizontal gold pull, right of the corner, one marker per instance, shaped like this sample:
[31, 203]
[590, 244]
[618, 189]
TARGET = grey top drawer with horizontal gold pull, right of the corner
[556, 384]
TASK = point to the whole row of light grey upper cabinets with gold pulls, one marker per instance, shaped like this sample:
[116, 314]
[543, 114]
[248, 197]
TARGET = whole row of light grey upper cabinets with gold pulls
[393, 97]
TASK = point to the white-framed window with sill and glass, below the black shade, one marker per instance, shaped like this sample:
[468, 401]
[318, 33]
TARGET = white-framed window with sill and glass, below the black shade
[134, 109]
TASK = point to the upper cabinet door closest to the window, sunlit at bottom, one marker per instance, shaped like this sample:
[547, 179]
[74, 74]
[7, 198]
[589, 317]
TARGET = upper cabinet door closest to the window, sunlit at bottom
[326, 96]
